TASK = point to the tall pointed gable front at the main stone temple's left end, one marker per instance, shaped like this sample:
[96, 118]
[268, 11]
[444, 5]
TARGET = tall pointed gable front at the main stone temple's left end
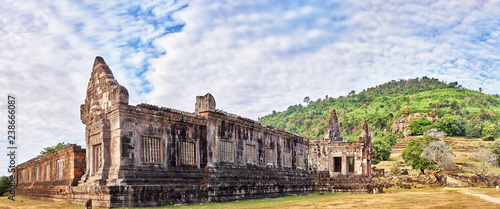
[104, 95]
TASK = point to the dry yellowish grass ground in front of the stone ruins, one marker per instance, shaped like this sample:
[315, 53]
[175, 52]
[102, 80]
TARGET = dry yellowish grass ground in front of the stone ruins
[391, 198]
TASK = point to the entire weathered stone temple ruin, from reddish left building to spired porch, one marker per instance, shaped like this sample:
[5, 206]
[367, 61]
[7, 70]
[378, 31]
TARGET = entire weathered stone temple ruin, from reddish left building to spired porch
[146, 155]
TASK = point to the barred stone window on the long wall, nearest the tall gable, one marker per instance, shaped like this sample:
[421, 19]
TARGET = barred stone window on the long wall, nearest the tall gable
[151, 151]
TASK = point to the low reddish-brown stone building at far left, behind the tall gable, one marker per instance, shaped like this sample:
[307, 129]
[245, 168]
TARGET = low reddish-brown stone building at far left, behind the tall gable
[46, 177]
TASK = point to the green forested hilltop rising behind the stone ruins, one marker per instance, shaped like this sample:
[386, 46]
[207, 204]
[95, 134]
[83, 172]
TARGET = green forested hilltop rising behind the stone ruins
[460, 111]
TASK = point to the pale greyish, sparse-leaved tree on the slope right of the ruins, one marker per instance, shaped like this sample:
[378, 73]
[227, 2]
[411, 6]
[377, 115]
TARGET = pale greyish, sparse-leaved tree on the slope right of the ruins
[439, 155]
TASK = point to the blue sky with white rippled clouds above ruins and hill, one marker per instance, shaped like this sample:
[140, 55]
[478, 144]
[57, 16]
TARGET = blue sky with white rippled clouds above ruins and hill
[253, 56]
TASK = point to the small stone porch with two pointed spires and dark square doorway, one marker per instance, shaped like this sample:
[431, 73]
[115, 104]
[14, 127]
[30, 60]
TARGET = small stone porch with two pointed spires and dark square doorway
[338, 165]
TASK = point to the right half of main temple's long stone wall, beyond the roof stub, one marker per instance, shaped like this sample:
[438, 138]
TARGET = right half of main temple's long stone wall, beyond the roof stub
[263, 162]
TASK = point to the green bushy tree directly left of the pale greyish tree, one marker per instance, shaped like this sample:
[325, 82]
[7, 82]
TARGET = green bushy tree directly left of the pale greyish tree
[412, 154]
